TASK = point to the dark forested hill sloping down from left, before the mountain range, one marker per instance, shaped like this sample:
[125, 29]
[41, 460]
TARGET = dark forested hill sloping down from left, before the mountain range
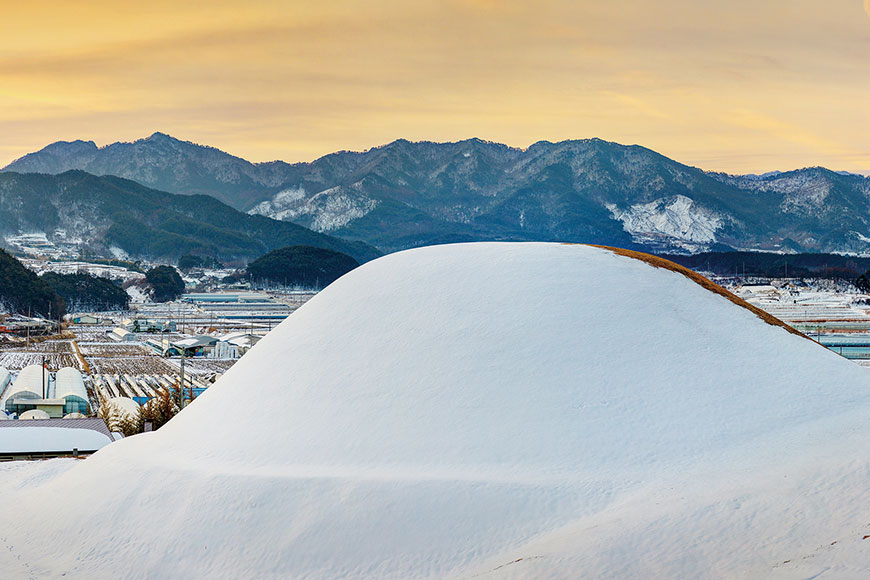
[102, 213]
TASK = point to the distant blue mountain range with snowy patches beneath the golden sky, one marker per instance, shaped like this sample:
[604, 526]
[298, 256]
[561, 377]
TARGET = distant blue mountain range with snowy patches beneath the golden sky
[406, 194]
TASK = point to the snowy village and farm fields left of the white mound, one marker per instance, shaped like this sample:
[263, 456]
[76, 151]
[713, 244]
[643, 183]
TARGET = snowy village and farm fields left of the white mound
[95, 371]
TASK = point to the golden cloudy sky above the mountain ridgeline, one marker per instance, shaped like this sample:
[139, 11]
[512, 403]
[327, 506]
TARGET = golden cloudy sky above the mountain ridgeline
[737, 85]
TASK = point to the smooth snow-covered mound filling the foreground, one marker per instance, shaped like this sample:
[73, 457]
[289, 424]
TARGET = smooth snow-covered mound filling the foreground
[482, 411]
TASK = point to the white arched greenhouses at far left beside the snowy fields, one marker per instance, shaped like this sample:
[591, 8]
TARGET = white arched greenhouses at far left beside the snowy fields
[38, 393]
